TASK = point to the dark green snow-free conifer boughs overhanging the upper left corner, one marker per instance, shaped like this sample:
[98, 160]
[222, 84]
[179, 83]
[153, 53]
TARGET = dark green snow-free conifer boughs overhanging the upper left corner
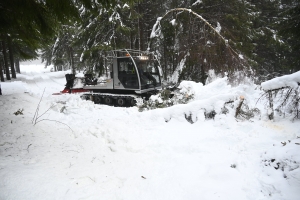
[37, 22]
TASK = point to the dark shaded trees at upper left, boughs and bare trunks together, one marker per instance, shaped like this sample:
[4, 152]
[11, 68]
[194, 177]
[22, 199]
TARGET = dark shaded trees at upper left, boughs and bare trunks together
[30, 25]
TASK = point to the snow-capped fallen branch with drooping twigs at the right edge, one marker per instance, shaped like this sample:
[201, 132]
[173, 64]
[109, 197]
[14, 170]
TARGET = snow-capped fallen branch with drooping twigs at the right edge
[283, 93]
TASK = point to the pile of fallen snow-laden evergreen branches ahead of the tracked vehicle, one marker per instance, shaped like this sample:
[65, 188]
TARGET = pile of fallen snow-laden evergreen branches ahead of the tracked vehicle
[188, 100]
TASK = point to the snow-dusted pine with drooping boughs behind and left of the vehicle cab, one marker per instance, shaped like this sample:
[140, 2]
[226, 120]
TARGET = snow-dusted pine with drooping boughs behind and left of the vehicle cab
[88, 41]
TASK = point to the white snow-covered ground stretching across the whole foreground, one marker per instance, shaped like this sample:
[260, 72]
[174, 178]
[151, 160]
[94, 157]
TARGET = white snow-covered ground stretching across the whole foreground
[75, 149]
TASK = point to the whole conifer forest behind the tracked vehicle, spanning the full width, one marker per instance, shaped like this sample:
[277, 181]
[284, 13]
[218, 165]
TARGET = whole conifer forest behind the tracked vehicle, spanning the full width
[238, 38]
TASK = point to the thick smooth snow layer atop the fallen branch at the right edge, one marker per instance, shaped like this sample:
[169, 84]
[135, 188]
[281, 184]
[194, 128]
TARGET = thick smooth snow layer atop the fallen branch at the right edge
[292, 80]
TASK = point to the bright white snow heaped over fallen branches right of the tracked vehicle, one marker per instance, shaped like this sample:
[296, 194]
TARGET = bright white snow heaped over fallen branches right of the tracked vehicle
[208, 101]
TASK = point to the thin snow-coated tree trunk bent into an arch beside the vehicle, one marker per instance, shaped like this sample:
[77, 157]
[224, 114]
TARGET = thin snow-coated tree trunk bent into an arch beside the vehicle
[156, 30]
